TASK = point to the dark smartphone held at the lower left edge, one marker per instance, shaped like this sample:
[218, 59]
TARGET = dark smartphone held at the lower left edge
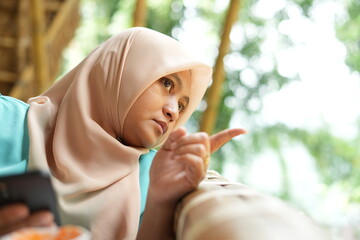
[34, 189]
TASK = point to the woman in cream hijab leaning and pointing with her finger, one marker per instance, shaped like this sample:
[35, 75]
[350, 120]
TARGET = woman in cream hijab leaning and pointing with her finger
[93, 130]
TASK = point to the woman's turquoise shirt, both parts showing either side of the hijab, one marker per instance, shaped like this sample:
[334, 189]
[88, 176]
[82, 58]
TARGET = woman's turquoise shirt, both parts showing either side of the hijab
[14, 144]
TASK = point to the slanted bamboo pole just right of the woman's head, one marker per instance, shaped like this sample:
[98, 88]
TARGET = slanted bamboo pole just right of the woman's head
[213, 96]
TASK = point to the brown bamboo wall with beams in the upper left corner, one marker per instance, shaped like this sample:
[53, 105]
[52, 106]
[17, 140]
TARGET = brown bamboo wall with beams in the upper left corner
[19, 34]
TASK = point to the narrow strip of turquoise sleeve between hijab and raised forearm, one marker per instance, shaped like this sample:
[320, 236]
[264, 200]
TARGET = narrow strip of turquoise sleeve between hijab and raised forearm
[145, 164]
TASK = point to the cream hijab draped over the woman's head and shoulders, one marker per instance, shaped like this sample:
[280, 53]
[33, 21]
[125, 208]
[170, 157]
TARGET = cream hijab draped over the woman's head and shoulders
[73, 128]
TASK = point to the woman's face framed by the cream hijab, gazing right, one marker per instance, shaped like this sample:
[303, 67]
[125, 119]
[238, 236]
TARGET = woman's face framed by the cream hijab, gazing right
[154, 114]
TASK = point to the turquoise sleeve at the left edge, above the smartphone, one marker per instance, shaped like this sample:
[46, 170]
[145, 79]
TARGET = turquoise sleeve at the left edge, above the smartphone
[14, 137]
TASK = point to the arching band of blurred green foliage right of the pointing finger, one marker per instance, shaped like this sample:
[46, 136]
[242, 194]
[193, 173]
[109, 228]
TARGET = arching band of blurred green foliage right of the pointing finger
[337, 160]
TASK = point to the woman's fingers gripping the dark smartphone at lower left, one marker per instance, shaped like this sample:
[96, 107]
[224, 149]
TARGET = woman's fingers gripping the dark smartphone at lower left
[17, 216]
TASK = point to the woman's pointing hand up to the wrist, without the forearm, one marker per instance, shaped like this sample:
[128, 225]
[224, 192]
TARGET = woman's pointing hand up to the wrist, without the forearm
[181, 163]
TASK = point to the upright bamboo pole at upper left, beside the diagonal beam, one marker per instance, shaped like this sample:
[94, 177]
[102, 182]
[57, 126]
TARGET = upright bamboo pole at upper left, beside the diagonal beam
[39, 45]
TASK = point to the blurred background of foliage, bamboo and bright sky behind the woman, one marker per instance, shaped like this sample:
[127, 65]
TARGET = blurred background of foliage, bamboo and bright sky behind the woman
[287, 71]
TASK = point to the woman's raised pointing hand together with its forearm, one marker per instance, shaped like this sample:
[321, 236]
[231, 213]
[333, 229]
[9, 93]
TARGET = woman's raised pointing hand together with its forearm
[177, 169]
